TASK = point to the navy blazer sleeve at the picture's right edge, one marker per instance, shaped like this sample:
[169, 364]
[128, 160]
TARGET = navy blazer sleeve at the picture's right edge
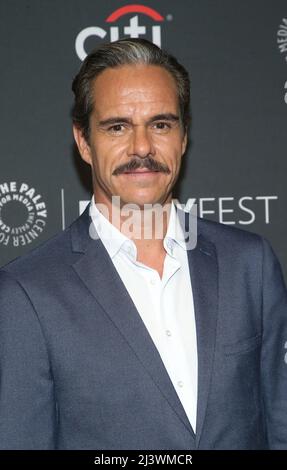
[274, 350]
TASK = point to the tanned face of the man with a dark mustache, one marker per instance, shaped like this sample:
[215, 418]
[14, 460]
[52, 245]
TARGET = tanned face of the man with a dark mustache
[136, 136]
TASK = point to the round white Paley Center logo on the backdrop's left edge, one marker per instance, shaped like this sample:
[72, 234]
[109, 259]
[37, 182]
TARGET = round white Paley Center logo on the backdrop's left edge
[23, 214]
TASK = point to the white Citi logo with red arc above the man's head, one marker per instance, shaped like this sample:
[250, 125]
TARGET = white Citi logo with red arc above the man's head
[137, 15]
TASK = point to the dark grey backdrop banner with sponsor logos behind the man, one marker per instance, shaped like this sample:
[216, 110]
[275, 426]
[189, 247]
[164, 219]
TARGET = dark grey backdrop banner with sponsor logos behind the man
[236, 166]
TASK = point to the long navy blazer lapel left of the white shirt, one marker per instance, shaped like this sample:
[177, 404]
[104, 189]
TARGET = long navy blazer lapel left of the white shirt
[96, 270]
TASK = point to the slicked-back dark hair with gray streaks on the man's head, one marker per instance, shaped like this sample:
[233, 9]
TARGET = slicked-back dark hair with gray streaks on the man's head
[119, 53]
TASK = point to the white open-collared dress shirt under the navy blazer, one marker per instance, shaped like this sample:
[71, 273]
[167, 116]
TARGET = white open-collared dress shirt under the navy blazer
[164, 304]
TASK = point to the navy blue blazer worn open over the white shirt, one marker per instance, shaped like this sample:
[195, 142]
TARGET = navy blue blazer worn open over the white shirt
[79, 369]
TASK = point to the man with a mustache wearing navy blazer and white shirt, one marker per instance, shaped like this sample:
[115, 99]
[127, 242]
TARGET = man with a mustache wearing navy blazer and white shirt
[112, 340]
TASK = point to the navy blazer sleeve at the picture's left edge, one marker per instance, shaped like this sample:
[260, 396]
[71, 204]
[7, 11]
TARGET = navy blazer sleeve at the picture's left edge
[27, 405]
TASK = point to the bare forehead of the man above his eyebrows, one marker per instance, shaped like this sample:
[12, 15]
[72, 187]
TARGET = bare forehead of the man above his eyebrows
[132, 85]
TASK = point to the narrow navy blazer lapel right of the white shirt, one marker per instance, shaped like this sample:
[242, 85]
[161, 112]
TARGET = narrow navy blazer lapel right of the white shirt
[204, 278]
